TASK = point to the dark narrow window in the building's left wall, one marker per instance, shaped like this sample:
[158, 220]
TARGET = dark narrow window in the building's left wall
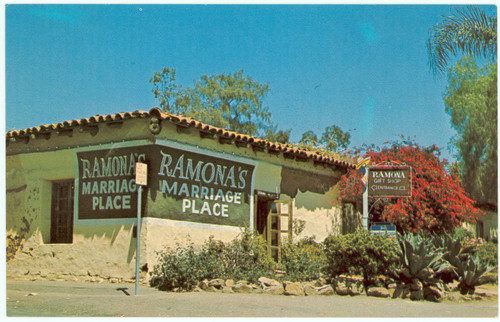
[61, 225]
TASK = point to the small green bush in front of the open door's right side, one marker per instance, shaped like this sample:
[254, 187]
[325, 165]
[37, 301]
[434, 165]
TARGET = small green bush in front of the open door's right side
[302, 261]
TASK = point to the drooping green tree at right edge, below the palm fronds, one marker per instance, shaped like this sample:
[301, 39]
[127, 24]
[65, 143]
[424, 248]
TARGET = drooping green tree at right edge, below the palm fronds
[471, 101]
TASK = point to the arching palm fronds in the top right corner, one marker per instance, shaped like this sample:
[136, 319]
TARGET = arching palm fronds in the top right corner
[469, 30]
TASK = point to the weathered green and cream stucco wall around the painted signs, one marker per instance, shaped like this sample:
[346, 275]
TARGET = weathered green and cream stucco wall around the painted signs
[106, 248]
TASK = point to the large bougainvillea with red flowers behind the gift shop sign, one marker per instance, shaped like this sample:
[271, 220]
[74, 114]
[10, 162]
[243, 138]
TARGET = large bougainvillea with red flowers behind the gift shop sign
[438, 202]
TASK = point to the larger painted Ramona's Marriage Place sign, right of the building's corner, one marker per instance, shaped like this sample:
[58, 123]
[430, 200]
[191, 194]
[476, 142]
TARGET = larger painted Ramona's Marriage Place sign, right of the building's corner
[201, 188]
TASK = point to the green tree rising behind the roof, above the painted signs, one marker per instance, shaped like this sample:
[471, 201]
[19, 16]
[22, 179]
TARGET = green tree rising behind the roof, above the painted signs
[228, 101]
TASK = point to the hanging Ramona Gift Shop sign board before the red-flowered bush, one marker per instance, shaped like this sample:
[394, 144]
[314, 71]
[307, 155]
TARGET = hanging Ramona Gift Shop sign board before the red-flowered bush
[389, 181]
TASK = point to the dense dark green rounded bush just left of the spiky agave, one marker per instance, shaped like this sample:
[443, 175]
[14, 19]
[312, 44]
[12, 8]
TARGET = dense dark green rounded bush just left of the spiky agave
[360, 254]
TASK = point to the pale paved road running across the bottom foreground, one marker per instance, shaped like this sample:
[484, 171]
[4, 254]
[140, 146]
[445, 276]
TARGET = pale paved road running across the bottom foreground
[66, 299]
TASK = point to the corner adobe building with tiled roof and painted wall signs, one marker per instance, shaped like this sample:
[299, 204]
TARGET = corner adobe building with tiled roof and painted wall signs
[71, 196]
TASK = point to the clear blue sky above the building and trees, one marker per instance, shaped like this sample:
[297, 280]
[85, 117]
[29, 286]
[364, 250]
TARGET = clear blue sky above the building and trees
[363, 68]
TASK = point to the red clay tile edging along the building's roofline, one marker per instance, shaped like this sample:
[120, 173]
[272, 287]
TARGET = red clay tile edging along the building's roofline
[336, 159]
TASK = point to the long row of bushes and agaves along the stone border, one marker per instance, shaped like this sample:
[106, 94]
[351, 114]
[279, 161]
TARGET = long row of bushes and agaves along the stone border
[414, 260]
